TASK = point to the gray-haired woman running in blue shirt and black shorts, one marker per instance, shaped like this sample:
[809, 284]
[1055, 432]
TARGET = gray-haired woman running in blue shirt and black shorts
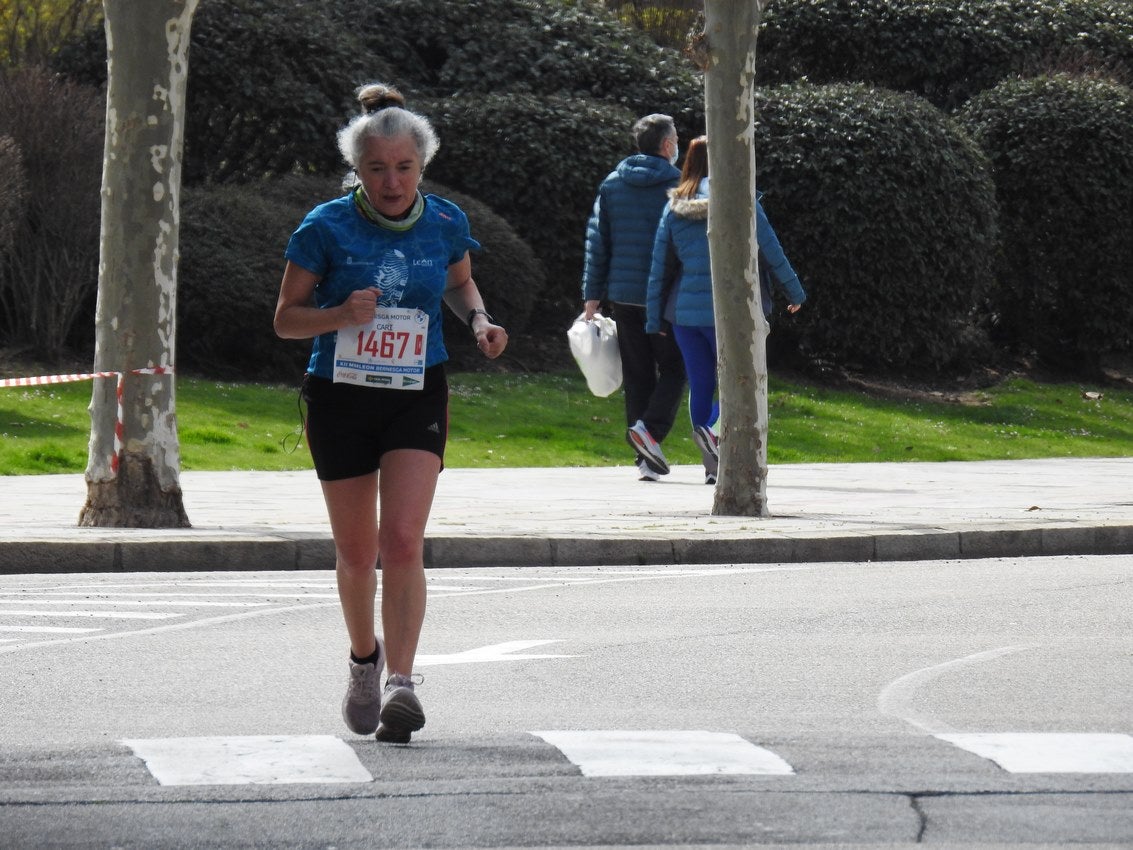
[365, 277]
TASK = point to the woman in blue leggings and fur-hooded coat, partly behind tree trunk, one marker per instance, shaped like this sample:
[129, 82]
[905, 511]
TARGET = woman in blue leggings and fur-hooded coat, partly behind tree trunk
[680, 291]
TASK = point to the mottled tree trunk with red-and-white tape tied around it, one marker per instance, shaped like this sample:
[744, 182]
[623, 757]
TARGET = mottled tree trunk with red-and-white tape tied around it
[139, 486]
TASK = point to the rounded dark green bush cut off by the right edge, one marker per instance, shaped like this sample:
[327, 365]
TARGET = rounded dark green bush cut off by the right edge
[1062, 156]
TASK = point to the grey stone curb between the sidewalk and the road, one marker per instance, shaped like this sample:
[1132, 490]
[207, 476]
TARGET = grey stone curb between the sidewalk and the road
[186, 552]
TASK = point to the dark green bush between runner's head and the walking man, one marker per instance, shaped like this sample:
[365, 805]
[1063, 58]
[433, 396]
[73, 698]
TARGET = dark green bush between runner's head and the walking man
[541, 159]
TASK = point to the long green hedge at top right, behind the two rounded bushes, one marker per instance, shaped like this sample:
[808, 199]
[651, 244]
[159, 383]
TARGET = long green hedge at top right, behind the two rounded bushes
[943, 52]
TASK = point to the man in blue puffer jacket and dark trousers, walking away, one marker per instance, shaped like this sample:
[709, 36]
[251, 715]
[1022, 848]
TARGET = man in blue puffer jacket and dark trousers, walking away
[619, 251]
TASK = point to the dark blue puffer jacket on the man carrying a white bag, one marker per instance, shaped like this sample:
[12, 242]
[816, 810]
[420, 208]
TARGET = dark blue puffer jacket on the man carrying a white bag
[620, 234]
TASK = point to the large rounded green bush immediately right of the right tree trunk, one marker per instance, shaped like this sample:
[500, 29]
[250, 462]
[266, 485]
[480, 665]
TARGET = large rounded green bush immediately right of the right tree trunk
[887, 209]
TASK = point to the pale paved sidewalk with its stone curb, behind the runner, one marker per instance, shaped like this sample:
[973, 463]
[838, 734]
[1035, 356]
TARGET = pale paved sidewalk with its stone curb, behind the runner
[604, 516]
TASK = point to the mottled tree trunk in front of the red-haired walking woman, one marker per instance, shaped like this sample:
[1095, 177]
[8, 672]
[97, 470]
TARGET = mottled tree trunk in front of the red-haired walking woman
[729, 56]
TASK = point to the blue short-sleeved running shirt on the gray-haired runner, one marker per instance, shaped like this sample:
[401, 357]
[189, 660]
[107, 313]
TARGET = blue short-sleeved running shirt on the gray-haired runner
[350, 252]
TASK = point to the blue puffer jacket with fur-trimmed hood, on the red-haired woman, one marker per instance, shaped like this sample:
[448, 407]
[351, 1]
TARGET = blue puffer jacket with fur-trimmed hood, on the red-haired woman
[680, 277]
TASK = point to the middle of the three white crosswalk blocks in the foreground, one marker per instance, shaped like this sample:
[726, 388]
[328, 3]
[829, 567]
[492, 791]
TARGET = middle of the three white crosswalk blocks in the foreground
[665, 754]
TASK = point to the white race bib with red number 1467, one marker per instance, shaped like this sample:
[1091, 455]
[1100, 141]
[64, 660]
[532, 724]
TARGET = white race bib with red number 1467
[389, 352]
